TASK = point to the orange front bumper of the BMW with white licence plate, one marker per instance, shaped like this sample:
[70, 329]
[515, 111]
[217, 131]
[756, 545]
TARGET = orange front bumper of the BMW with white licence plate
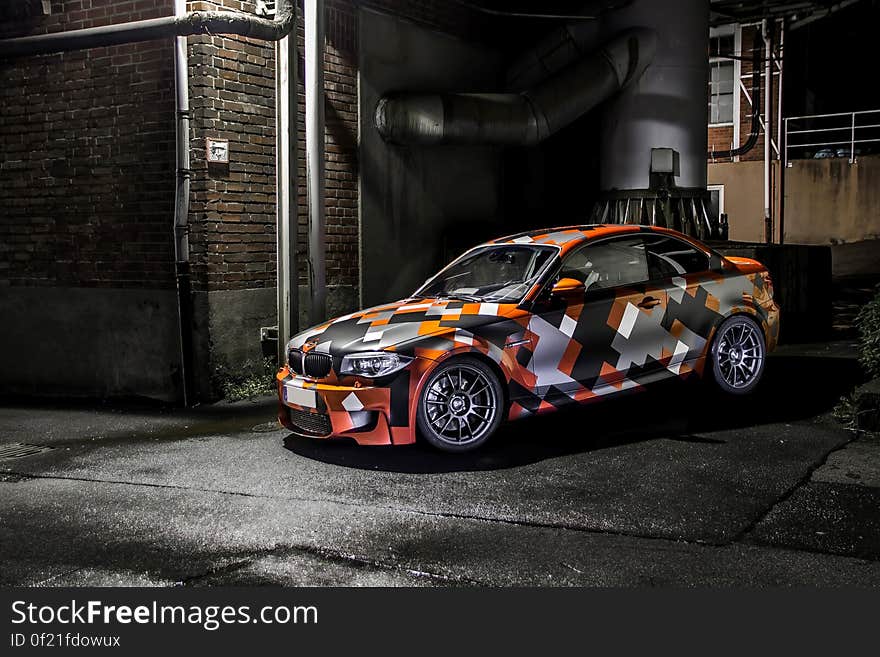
[322, 410]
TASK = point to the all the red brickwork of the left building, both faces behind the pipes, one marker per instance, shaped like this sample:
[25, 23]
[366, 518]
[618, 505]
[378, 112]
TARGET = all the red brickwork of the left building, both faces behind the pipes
[87, 143]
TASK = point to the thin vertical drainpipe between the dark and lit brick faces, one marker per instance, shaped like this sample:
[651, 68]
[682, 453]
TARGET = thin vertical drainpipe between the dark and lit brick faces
[181, 209]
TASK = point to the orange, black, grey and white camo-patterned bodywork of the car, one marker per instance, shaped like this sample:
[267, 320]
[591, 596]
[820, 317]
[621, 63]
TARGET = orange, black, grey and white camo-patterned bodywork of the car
[547, 356]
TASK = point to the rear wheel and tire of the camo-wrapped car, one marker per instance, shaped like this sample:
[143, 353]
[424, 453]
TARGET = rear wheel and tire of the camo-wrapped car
[738, 355]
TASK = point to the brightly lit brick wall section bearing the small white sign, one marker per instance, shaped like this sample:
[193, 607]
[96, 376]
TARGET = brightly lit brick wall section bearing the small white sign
[232, 209]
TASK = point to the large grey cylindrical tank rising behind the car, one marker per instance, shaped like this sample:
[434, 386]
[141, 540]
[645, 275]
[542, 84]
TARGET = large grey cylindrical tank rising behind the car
[668, 106]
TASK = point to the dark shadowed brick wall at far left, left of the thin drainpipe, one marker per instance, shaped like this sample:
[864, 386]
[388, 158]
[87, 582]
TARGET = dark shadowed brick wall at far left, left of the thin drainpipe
[87, 156]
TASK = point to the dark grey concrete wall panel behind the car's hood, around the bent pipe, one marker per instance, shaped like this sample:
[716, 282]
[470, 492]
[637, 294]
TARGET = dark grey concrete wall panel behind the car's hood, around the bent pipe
[416, 201]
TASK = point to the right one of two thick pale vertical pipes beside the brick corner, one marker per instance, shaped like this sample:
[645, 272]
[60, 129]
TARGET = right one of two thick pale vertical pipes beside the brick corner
[314, 70]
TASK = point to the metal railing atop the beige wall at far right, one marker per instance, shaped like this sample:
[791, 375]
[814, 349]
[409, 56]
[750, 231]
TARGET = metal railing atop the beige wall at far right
[845, 134]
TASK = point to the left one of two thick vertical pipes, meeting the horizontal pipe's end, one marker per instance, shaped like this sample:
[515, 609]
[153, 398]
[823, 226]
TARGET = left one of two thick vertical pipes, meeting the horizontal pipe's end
[285, 186]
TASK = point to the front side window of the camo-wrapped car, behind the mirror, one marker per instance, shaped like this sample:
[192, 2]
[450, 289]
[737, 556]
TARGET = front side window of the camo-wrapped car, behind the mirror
[610, 263]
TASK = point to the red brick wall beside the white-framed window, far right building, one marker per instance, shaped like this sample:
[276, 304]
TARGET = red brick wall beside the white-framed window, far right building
[721, 138]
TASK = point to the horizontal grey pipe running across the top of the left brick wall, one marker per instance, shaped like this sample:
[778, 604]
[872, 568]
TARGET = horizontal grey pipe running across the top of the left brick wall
[196, 22]
